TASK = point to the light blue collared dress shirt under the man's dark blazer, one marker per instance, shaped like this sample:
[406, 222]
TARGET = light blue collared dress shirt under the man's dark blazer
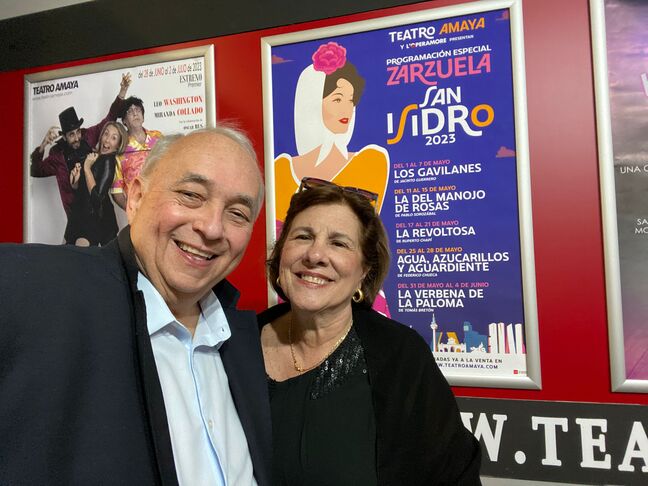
[209, 445]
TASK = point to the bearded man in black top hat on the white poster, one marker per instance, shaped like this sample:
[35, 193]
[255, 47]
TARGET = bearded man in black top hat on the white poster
[73, 146]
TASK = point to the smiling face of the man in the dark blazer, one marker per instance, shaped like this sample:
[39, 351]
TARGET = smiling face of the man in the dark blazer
[191, 218]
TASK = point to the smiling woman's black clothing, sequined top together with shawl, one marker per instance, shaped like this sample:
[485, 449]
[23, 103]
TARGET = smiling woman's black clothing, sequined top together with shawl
[378, 411]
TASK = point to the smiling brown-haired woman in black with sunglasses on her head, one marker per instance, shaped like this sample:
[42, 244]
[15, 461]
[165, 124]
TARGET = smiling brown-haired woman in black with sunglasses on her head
[356, 397]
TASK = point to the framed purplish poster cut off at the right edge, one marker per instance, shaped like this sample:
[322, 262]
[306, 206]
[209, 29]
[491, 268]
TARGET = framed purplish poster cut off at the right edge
[621, 73]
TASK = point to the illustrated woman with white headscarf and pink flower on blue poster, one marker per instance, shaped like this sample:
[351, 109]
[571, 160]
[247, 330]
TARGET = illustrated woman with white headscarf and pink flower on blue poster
[327, 93]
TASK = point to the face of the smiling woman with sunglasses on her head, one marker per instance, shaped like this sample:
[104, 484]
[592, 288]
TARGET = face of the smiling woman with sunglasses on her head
[321, 261]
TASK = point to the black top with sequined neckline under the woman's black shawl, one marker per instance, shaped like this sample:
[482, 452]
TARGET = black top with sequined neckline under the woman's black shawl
[324, 429]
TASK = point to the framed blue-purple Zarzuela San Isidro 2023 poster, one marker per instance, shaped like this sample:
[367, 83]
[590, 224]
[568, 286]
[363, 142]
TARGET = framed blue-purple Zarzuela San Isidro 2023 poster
[427, 111]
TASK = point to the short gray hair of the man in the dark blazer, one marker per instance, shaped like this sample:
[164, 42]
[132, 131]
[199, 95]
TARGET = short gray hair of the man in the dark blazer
[233, 133]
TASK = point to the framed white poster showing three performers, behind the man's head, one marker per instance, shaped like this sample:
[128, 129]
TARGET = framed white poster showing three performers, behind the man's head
[174, 92]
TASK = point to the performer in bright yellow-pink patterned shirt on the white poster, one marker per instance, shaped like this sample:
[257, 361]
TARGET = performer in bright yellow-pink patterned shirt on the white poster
[140, 143]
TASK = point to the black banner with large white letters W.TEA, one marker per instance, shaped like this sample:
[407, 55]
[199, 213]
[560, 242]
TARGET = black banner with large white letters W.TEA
[580, 443]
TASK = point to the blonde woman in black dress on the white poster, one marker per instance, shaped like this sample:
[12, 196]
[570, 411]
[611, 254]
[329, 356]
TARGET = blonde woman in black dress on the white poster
[92, 216]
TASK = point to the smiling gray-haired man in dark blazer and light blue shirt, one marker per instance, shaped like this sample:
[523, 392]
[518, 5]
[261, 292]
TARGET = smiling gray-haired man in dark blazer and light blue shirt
[129, 363]
